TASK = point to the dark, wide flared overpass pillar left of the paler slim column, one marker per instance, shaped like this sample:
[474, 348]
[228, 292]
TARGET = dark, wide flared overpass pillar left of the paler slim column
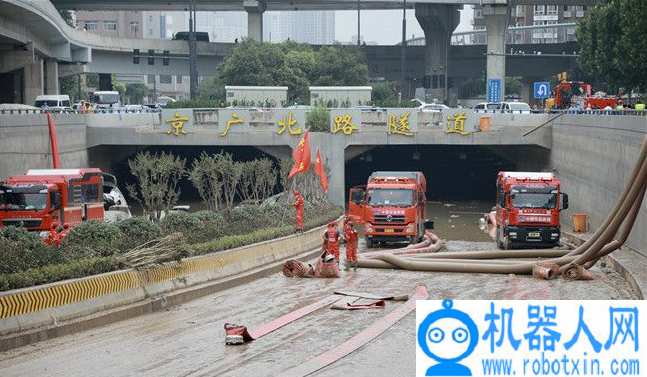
[438, 22]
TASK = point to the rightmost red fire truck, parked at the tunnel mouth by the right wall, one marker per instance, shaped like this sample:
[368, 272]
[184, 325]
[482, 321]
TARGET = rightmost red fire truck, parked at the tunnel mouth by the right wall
[527, 209]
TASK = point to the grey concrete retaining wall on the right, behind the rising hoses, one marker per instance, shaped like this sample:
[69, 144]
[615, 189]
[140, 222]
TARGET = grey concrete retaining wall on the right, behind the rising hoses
[594, 156]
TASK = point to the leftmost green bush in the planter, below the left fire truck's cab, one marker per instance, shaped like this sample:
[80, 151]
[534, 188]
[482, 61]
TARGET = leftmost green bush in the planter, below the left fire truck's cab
[21, 250]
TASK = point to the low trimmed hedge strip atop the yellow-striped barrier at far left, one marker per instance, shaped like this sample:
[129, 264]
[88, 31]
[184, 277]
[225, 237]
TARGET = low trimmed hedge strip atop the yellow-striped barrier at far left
[50, 274]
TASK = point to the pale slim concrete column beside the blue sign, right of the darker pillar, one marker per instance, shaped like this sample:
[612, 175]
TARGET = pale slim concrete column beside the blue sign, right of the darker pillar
[496, 22]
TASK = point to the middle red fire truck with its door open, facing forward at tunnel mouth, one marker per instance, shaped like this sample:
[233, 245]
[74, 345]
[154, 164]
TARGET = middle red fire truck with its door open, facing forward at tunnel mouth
[391, 206]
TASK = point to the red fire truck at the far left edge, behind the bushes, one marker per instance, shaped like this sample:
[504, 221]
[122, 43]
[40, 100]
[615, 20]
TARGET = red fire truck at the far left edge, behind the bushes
[50, 201]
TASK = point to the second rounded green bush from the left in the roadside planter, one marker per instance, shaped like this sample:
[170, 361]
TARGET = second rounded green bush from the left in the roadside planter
[91, 239]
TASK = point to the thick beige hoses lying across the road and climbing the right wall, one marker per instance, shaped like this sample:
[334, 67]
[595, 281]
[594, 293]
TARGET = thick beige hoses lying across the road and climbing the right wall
[573, 264]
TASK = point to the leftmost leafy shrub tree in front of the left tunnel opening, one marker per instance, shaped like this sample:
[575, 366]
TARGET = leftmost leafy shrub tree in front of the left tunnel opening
[158, 177]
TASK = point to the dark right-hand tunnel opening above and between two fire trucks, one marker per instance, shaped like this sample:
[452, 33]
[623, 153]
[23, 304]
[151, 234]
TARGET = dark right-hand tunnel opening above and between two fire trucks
[453, 172]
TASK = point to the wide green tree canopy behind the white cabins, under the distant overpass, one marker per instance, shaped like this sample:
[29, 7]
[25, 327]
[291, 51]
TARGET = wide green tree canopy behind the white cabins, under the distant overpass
[292, 64]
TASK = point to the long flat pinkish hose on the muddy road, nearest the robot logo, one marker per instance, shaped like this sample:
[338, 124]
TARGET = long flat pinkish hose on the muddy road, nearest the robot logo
[359, 340]
